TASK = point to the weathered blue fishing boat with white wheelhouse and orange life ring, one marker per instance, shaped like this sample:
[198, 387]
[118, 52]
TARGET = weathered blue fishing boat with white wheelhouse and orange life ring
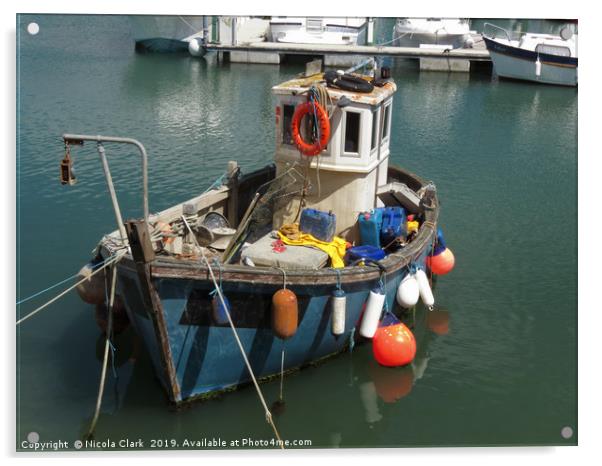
[228, 243]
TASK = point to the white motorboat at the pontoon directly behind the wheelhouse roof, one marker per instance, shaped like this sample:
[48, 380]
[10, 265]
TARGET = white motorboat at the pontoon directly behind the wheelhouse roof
[315, 30]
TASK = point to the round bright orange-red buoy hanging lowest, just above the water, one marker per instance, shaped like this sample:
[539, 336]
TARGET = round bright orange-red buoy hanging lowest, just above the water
[394, 345]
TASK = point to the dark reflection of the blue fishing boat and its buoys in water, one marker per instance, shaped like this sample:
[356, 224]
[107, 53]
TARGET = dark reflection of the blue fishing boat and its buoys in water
[364, 389]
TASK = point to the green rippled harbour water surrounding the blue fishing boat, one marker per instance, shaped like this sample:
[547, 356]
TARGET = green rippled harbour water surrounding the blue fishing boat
[503, 155]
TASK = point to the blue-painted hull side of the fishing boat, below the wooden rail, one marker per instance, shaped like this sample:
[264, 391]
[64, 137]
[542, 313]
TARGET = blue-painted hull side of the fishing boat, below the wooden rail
[205, 356]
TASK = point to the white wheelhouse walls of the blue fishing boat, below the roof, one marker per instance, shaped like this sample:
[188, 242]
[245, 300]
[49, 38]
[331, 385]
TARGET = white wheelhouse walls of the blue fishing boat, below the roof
[342, 182]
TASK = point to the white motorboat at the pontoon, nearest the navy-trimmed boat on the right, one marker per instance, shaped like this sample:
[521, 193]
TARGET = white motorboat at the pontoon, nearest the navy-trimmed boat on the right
[412, 32]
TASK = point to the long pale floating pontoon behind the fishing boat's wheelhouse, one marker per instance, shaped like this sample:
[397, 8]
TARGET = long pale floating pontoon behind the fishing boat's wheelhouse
[432, 57]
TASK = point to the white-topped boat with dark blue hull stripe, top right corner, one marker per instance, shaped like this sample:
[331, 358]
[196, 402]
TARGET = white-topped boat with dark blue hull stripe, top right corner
[543, 58]
